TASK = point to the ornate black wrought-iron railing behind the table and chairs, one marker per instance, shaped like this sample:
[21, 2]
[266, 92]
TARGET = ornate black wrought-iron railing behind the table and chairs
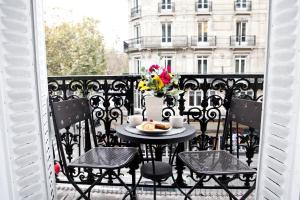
[112, 99]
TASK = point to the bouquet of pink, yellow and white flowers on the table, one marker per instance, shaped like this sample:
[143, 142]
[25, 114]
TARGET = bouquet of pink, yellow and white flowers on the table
[159, 81]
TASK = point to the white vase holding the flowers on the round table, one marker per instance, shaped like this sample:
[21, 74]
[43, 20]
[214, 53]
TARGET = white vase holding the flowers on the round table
[154, 106]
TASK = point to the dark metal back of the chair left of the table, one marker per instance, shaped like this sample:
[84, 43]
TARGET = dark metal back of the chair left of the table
[66, 114]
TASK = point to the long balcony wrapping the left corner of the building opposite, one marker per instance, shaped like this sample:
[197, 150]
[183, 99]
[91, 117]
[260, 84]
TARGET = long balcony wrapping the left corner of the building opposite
[155, 42]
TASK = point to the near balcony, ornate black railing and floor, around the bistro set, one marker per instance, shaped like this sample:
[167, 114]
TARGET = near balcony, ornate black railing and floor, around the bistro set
[113, 98]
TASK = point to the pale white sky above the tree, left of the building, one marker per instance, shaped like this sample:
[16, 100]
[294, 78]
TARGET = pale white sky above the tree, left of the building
[112, 14]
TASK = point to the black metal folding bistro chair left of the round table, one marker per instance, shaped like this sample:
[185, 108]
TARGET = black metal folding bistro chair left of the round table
[105, 159]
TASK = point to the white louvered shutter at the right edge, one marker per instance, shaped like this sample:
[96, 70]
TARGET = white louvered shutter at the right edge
[281, 104]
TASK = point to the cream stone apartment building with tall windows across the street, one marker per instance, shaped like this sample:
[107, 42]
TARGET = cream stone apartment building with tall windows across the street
[198, 36]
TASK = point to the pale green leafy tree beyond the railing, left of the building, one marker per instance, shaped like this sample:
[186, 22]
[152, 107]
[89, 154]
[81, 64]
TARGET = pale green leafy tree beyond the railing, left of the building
[75, 48]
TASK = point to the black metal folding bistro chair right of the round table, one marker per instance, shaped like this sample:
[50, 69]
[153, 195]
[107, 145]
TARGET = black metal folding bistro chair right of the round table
[221, 163]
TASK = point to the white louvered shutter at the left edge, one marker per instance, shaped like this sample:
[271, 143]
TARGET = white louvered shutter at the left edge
[24, 141]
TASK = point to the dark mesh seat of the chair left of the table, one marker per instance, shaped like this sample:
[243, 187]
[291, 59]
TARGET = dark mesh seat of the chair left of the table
[106, 158]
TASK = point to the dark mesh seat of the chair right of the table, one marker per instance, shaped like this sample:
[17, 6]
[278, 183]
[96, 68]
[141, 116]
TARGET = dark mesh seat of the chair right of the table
[214, 163]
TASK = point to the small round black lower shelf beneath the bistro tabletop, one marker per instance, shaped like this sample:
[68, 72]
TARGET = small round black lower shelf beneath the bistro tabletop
[162, 170]
